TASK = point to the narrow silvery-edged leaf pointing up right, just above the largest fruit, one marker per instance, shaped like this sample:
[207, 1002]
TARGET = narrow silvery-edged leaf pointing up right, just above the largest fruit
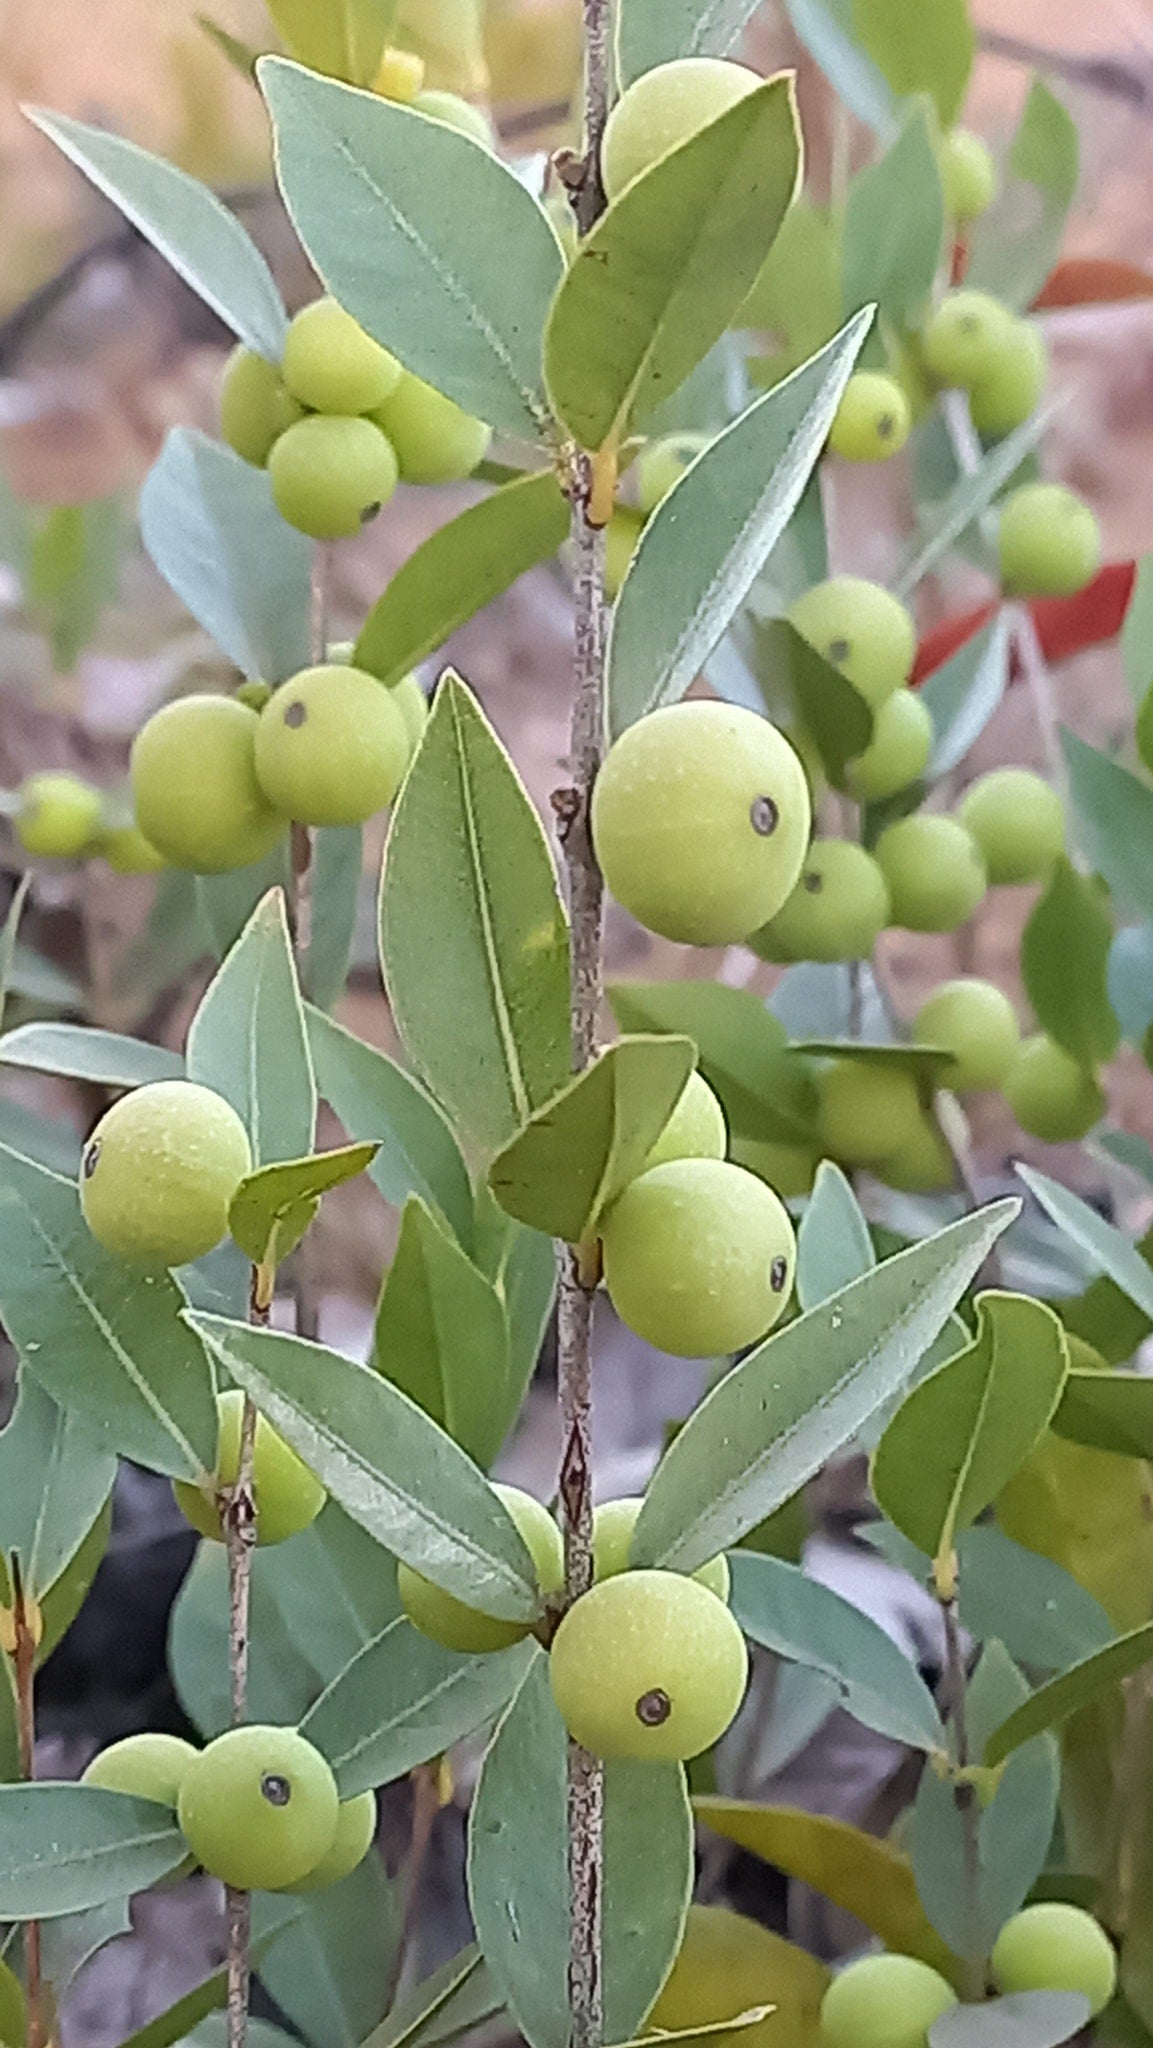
[714, 534]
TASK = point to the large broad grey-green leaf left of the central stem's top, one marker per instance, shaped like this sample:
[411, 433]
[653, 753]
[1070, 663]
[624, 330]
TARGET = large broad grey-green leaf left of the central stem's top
[460, 294]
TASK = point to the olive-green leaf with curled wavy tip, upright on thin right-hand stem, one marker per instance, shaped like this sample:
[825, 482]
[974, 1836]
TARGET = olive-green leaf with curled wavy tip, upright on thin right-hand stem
[962, 1435]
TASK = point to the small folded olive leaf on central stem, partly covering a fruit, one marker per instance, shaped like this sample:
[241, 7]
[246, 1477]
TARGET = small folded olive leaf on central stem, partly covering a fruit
[583, 1148]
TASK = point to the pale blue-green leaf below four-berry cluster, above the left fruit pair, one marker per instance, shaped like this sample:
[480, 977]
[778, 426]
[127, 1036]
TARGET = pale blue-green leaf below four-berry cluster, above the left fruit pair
[212, 529]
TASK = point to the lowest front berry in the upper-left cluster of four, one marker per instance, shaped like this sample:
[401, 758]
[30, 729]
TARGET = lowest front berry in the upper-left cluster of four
[333, 476]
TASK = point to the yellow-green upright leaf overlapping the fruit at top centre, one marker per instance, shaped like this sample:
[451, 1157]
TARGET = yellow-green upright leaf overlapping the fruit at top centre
[671, 263]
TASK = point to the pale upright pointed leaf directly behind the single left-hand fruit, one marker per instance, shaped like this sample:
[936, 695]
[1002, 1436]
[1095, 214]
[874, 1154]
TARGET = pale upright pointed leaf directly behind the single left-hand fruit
[249, 1039]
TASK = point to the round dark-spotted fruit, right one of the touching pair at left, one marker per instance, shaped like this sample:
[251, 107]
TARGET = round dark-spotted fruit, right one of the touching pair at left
[331, 746]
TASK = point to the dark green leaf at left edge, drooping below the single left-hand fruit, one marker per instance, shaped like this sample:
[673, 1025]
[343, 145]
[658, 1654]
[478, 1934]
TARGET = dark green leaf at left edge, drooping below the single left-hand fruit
[101, 1338]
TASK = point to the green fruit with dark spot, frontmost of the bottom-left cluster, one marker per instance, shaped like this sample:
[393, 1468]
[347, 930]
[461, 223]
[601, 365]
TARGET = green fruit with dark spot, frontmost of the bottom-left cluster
[259, 1809]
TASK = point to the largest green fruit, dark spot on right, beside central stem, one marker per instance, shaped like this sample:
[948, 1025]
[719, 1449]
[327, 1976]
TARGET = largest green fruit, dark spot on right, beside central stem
[701, 820]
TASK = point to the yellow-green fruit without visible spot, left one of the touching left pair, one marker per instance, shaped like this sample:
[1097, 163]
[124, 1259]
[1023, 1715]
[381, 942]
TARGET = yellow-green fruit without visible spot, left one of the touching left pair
[196, 792]
